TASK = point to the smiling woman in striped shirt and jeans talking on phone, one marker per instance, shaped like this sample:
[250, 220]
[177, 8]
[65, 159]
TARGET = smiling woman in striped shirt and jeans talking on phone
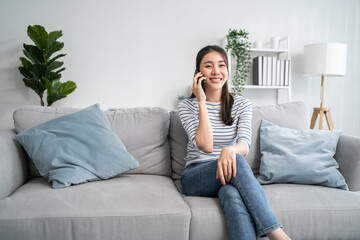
[218, 125]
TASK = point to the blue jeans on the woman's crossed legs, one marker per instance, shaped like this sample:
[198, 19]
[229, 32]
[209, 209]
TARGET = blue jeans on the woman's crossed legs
[247, 211]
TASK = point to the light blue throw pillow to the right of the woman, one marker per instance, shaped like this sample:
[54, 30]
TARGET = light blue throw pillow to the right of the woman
[299, 156]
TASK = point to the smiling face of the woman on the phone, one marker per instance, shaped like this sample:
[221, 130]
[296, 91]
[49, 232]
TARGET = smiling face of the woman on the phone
[214, 68]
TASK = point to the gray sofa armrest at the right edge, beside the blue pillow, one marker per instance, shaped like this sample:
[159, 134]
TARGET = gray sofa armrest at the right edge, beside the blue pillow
[348, 156]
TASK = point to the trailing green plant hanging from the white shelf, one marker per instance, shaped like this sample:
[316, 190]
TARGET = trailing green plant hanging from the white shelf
[239, 46]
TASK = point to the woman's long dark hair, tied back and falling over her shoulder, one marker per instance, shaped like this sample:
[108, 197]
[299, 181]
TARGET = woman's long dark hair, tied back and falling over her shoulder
[227, 99]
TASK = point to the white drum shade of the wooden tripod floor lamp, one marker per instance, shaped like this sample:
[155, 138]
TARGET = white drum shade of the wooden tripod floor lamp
[325, 59]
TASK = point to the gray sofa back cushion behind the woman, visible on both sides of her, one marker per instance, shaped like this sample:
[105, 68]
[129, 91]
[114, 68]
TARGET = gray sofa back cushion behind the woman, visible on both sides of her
[293, 115]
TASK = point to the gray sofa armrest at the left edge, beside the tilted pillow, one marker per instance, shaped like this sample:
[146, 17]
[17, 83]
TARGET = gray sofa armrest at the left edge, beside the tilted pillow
[13, 164]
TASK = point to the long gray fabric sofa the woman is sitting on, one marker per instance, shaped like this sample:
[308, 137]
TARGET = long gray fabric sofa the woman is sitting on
[147, 203]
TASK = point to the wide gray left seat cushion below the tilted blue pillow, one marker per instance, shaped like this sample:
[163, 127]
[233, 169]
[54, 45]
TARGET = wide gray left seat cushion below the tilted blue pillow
[130, 206]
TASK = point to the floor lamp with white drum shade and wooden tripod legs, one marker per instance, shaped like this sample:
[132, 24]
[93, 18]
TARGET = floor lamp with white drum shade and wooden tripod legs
[324, 59]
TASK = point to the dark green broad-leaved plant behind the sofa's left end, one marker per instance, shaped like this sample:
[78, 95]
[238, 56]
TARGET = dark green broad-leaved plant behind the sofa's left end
[38, 68]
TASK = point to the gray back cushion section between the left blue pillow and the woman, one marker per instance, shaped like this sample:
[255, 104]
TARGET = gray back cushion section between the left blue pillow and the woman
[145, 134]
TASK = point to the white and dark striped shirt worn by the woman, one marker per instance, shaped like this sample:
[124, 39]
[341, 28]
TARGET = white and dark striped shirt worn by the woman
[223, 135]
